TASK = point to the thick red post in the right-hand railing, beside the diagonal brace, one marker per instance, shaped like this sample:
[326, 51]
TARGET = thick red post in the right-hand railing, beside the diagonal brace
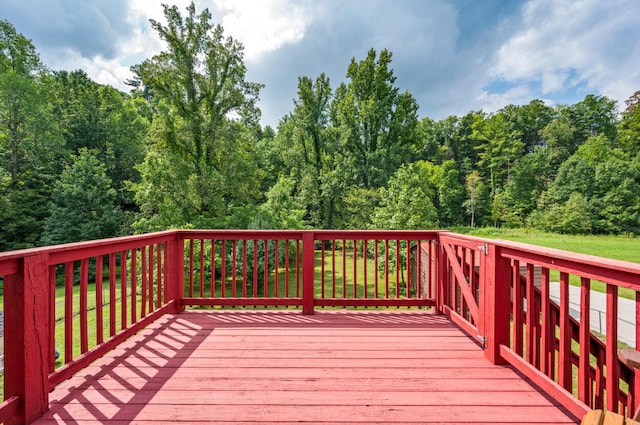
[494, 308]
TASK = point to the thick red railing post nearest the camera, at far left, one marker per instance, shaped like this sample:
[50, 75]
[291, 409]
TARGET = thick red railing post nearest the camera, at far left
[27, 322]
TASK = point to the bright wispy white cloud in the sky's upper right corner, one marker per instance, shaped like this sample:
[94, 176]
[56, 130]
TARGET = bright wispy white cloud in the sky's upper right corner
[565, 44]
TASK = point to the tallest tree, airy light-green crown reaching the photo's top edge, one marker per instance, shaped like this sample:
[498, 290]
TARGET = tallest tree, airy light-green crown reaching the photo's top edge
[201, 167]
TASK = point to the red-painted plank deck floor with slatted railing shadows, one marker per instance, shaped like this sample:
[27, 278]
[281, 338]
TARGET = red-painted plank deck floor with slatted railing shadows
[282, 367]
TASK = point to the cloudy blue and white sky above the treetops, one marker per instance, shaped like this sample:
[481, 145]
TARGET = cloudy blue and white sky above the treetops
[453, 56]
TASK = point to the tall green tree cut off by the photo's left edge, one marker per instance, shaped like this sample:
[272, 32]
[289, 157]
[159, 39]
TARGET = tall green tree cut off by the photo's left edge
[30, 146]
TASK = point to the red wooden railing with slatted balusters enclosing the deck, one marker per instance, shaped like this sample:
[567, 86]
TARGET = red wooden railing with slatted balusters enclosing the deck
[496, 291]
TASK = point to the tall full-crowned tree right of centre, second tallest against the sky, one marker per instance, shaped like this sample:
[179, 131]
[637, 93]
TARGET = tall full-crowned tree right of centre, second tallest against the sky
[376, 123]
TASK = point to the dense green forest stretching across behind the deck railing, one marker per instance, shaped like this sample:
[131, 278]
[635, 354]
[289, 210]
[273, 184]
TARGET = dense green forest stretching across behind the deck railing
[185, 149]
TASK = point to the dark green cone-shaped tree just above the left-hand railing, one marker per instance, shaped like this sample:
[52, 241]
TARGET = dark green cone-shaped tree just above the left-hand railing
[83, 203]
